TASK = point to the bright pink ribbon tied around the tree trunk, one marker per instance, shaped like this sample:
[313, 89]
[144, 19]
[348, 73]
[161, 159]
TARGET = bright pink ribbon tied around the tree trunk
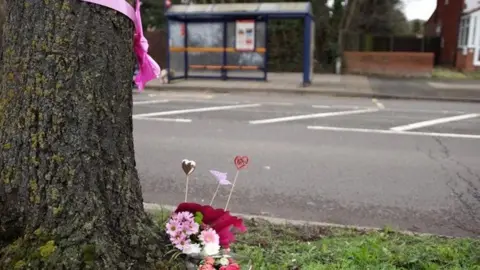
[148, 69]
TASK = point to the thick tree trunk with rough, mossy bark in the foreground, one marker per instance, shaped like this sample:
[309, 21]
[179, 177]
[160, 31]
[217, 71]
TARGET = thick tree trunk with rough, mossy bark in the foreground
[70, 197]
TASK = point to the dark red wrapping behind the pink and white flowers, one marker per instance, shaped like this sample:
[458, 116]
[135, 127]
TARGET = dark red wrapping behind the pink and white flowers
[218, 219]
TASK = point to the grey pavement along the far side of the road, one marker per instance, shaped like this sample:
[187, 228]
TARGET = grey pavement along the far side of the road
[337, 85]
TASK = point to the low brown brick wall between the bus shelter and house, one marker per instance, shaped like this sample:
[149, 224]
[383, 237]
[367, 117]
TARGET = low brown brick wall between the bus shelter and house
[389, 63]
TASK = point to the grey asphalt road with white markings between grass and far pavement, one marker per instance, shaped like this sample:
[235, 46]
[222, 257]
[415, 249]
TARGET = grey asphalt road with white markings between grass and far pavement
[412, 165]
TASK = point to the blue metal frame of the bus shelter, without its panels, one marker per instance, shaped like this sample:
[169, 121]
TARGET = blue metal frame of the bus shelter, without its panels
[233, 16]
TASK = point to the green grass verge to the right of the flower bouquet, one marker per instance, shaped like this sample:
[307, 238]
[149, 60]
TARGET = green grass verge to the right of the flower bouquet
[269, 246]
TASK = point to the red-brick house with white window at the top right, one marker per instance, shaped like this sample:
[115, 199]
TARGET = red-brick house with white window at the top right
[457, 23]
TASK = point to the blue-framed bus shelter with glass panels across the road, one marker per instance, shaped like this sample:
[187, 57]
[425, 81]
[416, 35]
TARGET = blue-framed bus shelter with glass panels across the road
[229, 41]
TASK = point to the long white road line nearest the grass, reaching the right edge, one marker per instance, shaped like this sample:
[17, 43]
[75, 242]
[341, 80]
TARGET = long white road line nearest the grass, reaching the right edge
[393, 132]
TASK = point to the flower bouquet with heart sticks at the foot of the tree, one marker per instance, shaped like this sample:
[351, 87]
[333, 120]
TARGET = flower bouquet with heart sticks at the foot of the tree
[204, 233]
